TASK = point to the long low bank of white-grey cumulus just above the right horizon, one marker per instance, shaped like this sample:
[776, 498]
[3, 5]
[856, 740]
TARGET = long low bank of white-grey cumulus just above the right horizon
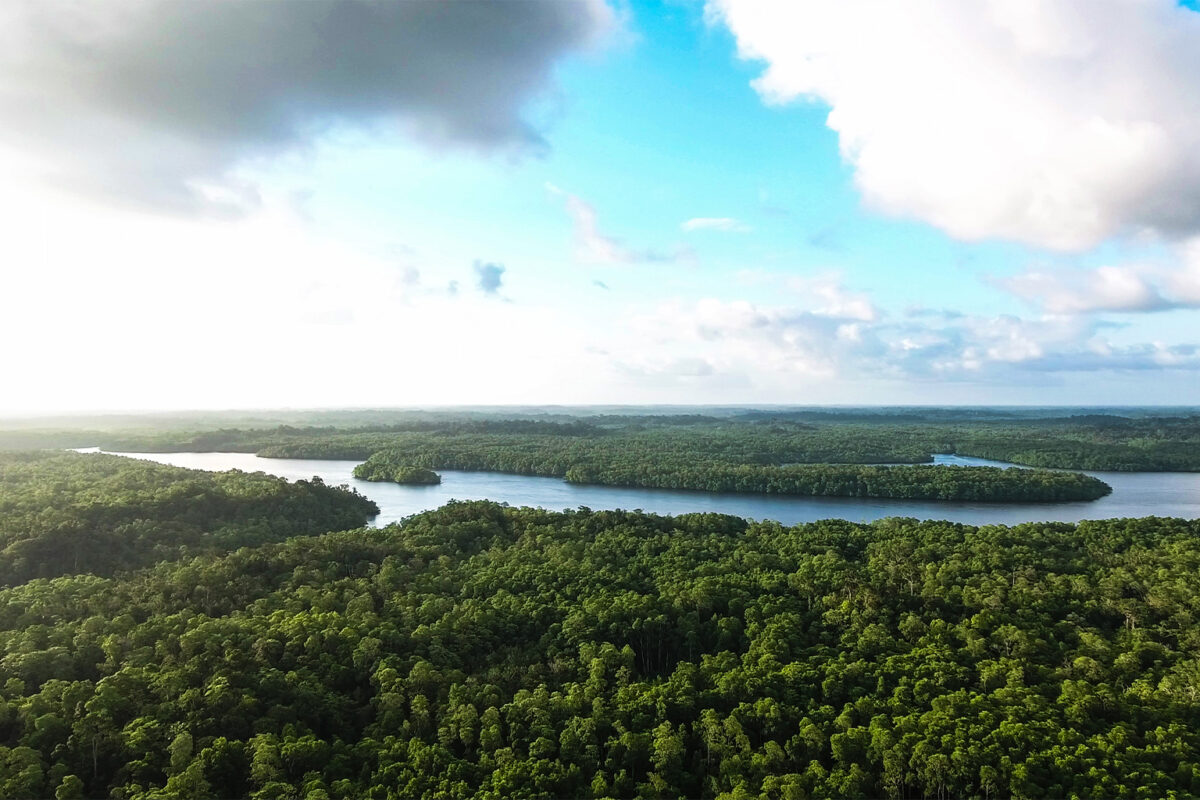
[742, 339]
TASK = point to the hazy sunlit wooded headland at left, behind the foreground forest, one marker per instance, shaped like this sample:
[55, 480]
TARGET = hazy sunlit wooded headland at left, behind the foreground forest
[65, 514]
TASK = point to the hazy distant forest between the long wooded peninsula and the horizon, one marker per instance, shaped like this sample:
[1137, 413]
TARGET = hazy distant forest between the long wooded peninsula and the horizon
[1093, 442]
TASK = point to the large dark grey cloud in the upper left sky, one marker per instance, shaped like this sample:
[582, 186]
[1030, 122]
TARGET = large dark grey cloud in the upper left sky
[158, 101]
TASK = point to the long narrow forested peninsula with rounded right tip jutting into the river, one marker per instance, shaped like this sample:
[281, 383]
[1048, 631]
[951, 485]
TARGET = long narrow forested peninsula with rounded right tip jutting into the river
[643, 470]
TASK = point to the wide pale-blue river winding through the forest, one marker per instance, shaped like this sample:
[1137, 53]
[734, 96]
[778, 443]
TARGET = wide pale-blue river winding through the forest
[1135, 495]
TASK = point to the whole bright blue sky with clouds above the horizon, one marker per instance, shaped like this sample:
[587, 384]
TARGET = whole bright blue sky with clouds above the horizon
[338, 203]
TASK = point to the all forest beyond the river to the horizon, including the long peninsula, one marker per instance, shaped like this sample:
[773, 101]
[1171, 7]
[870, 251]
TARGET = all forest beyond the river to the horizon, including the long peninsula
[800, 453]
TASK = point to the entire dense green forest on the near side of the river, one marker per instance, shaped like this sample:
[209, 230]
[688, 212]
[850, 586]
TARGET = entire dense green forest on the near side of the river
[488, 652]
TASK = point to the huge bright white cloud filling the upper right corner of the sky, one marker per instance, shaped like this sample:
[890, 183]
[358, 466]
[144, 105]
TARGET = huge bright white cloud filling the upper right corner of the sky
[1055, 123]
